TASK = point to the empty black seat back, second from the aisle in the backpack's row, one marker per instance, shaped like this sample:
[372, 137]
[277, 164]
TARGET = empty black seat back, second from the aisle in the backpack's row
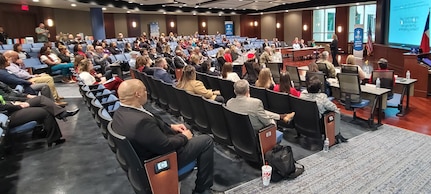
[217, 121]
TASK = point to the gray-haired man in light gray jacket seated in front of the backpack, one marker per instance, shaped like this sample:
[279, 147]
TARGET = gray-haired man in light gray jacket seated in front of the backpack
[253, 107]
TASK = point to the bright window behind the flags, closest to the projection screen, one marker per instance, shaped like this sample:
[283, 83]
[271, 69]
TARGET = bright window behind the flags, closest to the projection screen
[362, 14]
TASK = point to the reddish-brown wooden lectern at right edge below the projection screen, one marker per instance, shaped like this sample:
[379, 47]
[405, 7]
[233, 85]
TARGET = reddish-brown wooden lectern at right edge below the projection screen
[419, 72]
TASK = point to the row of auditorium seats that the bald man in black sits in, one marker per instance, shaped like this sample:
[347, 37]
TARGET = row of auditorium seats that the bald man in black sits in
[102, 103]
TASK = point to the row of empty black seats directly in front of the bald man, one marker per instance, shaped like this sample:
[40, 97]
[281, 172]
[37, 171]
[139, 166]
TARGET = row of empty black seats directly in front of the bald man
[207, 116]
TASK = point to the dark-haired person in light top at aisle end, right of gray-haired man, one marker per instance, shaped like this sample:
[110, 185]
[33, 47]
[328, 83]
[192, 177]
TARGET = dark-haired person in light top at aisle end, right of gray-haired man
[323, 104]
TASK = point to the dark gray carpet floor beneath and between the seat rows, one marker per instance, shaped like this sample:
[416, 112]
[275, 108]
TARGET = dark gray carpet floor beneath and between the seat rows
[85, 164]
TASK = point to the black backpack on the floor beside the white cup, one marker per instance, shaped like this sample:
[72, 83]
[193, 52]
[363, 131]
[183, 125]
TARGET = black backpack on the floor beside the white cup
[280, 158]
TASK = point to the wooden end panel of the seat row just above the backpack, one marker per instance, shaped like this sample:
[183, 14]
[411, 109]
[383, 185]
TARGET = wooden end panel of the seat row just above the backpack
[267, 139]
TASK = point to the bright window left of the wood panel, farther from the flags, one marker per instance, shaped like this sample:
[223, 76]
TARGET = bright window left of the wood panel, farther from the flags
[323, 24]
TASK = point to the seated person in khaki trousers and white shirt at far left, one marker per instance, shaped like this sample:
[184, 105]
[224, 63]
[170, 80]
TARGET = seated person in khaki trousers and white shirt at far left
[38, 80]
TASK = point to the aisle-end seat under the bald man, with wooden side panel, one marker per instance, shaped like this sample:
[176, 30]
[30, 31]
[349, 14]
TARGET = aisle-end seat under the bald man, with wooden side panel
[151, 177]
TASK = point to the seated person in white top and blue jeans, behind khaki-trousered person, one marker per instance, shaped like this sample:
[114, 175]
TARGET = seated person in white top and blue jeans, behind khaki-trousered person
[55, 63]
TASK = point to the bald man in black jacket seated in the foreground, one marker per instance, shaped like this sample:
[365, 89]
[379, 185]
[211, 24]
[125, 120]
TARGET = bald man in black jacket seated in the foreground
[151, 137]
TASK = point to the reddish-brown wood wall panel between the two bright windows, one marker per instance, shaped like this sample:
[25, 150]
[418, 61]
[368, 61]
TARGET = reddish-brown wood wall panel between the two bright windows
[342, 19]
